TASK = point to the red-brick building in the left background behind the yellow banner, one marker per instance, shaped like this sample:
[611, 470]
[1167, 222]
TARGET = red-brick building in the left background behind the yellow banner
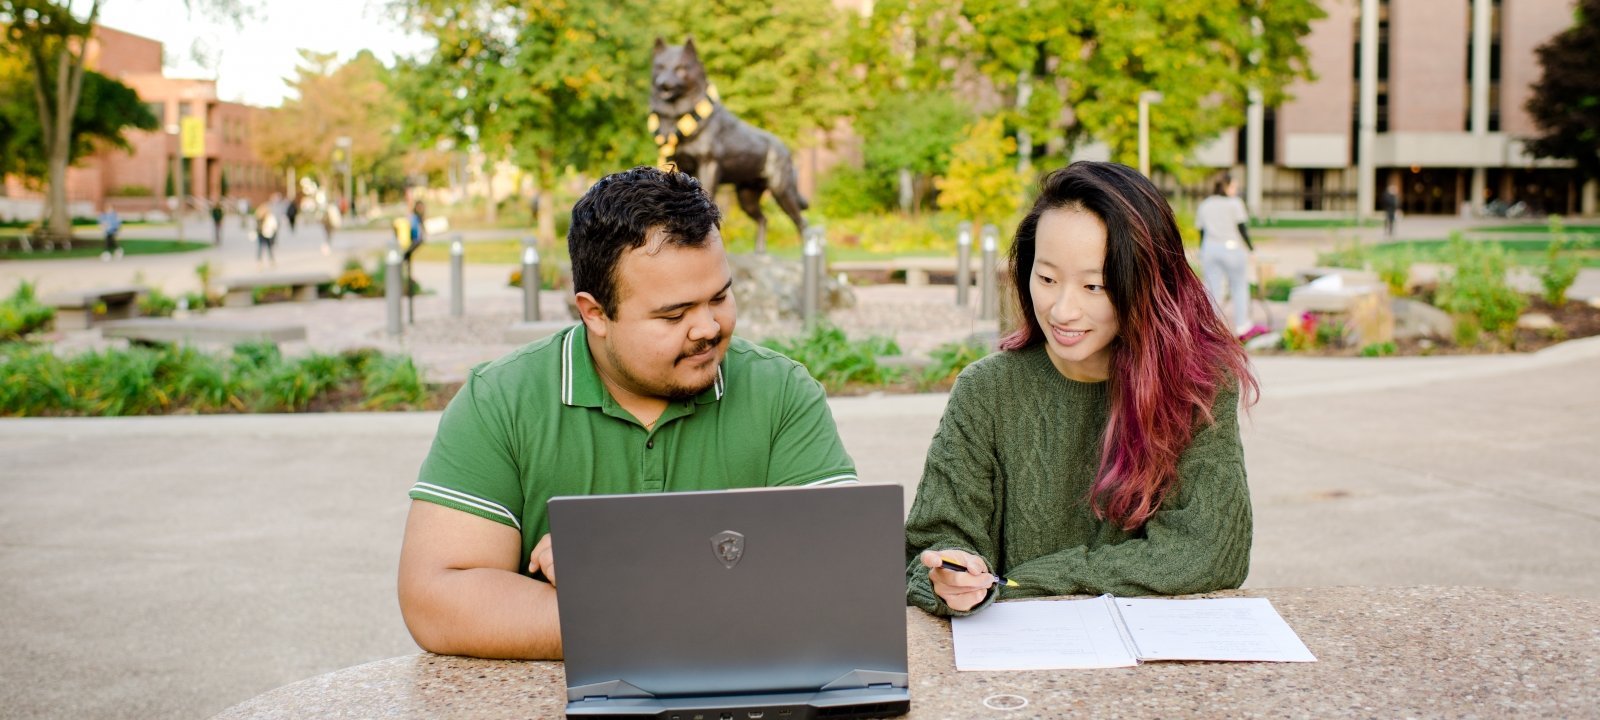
[138, 182]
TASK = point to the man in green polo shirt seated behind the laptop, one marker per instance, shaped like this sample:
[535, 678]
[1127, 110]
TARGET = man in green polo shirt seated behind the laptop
[650, 394]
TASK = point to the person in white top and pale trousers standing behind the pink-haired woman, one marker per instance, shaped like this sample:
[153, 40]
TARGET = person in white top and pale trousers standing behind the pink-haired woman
[1225, 252]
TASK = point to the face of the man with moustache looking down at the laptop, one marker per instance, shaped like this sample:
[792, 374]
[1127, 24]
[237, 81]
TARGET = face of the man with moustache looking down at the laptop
[673, 322]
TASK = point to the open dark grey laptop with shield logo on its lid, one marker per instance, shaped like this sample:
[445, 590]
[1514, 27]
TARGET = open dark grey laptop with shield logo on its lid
[780, 604]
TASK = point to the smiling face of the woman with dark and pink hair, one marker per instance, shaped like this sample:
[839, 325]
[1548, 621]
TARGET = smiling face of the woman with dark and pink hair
[1070, 294]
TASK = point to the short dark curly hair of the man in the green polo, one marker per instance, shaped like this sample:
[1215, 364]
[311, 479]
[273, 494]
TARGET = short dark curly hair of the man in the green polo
[618, 214]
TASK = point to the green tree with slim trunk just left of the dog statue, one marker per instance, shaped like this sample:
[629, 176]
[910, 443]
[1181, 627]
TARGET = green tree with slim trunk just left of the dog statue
[546, 84]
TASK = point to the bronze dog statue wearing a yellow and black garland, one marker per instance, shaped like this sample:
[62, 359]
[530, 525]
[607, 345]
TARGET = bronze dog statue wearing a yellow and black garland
[703, 138]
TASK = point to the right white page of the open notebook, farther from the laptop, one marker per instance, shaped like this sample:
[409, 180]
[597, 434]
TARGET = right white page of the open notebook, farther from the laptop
[1212, 630]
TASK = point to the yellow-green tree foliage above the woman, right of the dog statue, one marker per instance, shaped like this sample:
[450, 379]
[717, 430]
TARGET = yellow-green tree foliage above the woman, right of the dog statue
[1062, 73]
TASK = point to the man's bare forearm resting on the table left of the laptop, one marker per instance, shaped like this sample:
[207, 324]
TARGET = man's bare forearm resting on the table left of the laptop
[482, 614]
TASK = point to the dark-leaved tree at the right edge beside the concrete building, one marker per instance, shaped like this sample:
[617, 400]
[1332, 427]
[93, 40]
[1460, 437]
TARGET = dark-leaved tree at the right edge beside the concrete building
[1566, 102]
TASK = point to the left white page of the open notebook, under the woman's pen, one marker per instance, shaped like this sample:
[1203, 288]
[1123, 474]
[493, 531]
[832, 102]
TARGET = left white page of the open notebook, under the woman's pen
[1041, 636]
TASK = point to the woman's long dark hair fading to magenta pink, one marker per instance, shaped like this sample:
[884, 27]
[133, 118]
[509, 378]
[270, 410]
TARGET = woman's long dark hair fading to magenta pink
[1172, 354]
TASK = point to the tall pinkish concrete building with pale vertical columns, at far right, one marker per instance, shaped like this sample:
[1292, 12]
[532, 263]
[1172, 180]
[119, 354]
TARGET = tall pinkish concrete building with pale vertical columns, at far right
[1446, 113]
